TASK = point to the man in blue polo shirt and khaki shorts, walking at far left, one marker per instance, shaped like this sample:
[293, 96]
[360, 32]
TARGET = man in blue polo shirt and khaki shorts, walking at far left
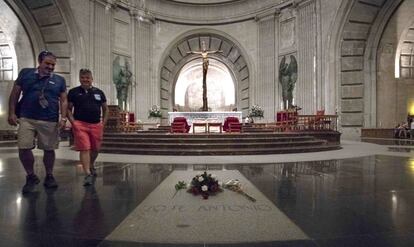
[37, 114]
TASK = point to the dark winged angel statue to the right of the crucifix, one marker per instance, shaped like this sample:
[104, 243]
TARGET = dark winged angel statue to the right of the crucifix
[288, 74]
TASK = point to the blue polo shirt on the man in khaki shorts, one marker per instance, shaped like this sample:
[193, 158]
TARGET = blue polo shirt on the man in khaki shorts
[31, 85]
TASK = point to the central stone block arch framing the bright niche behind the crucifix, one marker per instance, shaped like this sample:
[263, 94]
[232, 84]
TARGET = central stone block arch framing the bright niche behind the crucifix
[177, 56]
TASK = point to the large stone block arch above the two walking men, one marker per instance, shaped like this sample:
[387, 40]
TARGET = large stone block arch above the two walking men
[51, 25]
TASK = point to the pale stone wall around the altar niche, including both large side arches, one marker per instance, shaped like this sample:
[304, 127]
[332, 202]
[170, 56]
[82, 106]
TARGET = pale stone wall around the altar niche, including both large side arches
[335, 43]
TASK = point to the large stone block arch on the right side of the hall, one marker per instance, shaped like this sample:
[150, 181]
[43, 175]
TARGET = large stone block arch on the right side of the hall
[359, 25]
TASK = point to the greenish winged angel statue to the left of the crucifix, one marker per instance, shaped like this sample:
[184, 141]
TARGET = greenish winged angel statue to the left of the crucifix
[122, 78]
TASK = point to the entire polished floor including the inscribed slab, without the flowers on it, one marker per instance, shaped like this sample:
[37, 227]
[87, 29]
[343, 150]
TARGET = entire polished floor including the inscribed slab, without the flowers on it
[361, 195]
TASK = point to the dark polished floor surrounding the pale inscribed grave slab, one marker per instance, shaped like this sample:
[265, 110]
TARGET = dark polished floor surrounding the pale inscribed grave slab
[367, 201]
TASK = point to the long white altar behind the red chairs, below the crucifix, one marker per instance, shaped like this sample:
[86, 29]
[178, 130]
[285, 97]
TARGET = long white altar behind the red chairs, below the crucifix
[204, 116]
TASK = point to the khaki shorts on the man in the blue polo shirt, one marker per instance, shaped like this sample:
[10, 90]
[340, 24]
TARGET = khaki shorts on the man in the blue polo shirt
[46, 133]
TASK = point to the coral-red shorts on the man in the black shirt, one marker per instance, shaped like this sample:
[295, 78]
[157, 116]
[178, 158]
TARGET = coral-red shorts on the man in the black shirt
[87, 136]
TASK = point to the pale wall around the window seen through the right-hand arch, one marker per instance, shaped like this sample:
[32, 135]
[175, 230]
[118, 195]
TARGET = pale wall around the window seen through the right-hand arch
[395, 92]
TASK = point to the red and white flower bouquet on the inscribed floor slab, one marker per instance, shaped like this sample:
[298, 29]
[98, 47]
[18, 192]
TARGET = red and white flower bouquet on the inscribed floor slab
[205, 185]
